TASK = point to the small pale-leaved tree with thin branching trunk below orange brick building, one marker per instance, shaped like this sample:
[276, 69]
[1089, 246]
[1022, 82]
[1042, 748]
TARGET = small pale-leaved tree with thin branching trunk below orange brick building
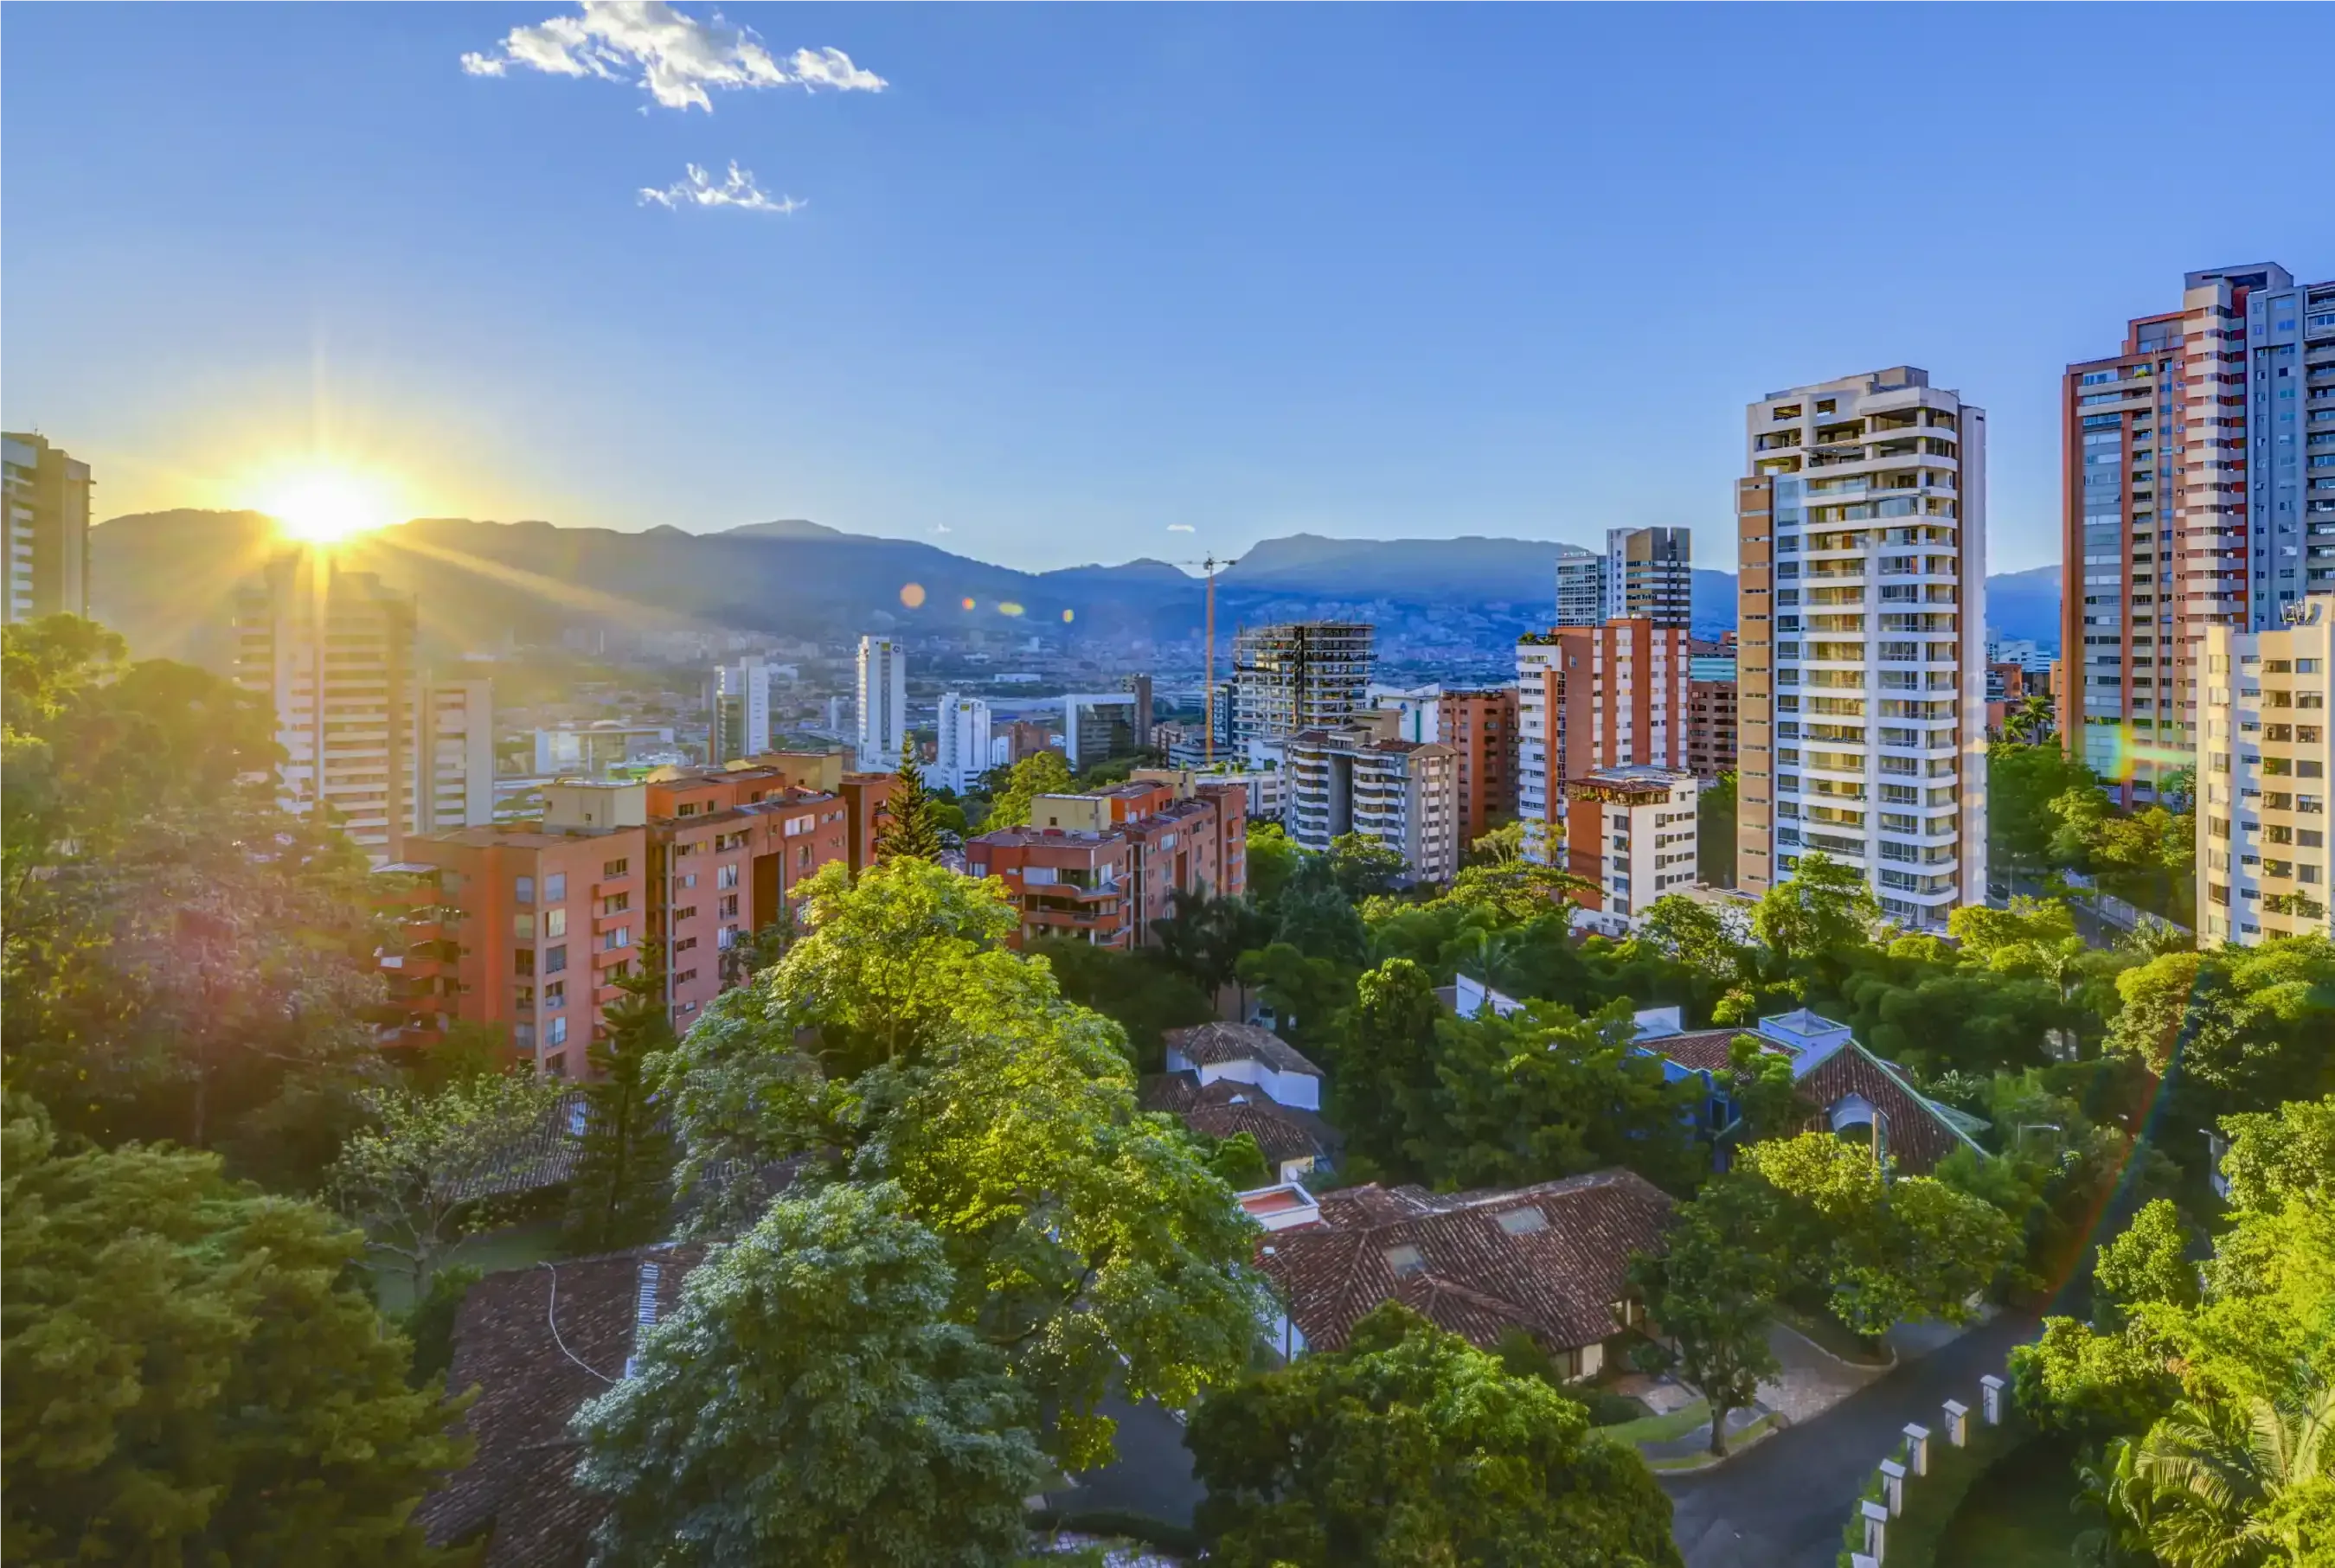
[428, 1168]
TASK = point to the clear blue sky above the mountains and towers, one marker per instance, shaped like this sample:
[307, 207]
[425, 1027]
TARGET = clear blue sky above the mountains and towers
[1087, 276]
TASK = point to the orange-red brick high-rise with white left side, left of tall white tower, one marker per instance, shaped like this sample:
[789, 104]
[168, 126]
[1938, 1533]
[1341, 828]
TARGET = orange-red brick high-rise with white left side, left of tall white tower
[1594, 696]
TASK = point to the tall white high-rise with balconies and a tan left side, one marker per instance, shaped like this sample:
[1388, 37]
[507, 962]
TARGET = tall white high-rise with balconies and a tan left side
[1862, 703]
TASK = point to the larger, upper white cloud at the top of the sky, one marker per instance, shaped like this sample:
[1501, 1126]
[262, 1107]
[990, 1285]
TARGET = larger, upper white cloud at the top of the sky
[671, 55]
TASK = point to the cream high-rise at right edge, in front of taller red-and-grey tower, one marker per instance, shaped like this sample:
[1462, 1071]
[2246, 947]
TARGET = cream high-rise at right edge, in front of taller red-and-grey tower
[2264, 764]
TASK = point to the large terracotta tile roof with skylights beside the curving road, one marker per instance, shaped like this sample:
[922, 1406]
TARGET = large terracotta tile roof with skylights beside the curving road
[1454, 1259]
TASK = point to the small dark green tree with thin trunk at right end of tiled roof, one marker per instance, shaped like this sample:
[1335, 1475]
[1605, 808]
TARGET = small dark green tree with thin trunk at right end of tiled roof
[1713, 1291]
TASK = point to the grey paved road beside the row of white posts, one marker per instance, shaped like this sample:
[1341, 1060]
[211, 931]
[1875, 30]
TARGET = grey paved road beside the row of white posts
[1783, 1504]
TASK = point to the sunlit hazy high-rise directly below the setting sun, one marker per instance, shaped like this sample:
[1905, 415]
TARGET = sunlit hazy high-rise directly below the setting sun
[335, 654]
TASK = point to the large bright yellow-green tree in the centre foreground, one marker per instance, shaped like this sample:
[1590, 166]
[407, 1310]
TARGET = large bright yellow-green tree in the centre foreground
[902, 1042]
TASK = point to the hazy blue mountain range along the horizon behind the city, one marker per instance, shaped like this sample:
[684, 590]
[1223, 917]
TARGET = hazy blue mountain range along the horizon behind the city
[165, 580]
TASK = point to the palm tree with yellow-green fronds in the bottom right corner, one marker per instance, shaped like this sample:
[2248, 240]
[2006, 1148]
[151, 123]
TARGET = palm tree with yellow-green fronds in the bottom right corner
[2219, 1469]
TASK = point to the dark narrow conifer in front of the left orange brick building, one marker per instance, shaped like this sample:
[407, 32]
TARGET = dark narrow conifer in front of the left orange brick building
[622, 1186]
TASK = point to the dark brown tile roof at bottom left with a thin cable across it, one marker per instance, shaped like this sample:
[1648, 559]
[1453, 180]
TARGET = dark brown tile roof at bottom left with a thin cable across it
[517, 1494]
